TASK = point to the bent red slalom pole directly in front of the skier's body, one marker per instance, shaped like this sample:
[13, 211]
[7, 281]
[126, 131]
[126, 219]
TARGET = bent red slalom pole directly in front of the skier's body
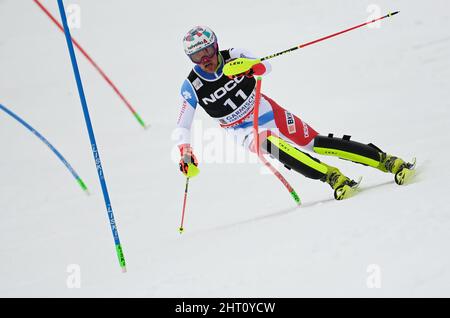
[258, 152]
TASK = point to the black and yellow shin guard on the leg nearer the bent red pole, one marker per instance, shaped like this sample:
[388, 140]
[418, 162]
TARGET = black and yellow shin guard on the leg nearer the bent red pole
[294, 159]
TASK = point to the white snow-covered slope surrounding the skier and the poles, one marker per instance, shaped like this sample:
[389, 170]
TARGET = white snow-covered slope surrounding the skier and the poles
[243, 237]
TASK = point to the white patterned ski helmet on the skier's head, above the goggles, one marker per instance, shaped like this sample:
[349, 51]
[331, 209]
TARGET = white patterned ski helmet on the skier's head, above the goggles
[199, 38]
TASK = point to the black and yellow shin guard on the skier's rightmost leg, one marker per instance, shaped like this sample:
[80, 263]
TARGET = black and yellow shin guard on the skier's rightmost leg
[347, 149]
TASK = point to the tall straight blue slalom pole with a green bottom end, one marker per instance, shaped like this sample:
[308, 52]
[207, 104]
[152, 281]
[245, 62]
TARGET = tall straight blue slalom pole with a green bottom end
[95, 151]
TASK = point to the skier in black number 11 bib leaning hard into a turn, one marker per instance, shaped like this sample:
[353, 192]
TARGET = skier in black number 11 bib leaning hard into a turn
[230, 101]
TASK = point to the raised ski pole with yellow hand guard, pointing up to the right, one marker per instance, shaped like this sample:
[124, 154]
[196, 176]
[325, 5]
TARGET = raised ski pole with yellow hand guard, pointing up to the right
[242, 65]
